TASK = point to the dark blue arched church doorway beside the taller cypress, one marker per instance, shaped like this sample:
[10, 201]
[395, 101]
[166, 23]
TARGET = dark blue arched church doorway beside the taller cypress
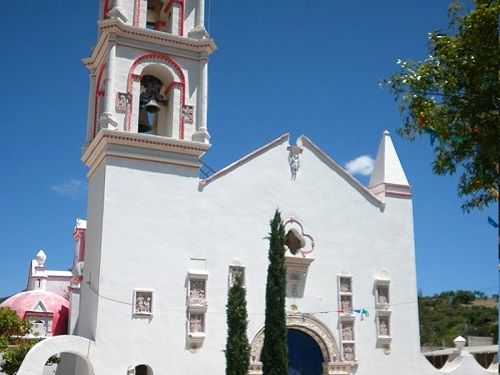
[304, 354]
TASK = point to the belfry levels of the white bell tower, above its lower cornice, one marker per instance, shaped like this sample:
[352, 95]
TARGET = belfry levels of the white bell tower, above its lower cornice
[149, 70]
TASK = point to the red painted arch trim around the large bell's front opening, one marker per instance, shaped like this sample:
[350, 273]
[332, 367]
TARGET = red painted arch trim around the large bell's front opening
[181, 84]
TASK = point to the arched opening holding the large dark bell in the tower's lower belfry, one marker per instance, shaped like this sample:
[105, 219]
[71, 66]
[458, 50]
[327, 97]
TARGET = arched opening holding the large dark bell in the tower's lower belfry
[156, 102]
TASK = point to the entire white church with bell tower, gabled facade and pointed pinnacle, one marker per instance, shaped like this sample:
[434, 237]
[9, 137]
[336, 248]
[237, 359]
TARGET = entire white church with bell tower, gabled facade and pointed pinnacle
[152, 296]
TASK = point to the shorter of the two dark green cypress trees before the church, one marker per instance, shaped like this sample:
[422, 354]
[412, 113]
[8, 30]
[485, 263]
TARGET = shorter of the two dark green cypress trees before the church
[237, 346]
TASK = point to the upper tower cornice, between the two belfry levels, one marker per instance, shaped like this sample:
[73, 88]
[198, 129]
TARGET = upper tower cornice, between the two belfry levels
[114, 30]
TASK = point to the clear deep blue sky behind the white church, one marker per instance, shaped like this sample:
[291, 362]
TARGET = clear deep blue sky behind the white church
[298, 66]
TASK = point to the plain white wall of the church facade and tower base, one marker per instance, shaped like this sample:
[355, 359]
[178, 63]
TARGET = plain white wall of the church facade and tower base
[155, 219]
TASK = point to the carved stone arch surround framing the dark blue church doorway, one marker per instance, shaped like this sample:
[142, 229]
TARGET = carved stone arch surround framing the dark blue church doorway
[317, 330]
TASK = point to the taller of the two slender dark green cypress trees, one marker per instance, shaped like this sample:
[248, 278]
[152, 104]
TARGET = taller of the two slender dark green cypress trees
[274, 352]
